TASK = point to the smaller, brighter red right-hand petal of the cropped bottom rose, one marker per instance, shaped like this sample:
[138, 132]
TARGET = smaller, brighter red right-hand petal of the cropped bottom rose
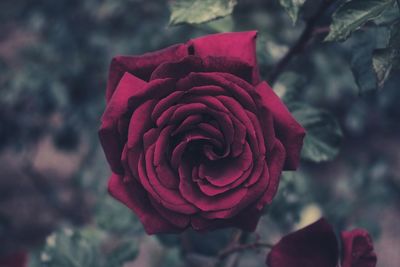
[358, 249]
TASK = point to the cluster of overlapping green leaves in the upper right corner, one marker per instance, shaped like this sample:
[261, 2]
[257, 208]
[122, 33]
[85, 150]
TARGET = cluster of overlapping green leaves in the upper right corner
[353, 15]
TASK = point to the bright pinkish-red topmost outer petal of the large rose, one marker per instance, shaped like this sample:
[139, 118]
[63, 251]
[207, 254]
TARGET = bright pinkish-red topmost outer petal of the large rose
[241, 45]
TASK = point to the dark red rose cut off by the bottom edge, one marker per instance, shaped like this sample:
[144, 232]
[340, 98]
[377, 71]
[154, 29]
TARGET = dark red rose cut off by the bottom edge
[316, 246]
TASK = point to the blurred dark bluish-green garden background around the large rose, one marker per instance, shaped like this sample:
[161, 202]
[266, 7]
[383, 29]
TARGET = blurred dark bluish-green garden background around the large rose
[54, 206]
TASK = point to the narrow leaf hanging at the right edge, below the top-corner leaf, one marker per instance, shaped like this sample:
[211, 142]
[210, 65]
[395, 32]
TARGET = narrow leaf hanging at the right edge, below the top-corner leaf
[384, 60]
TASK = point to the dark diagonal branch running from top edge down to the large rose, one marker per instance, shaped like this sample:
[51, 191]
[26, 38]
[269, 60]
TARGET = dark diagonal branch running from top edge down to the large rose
[299, 45]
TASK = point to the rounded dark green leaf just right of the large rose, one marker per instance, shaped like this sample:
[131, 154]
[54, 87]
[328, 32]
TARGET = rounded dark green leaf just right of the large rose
[323, 133]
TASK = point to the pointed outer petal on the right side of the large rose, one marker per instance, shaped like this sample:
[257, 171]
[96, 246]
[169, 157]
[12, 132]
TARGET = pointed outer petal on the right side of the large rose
[287, 129]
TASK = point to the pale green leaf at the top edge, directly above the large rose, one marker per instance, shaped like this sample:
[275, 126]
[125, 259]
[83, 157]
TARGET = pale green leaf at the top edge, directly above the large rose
[199, 11]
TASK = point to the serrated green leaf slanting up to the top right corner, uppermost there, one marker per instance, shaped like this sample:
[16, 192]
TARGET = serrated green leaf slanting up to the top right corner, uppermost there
[352, 15]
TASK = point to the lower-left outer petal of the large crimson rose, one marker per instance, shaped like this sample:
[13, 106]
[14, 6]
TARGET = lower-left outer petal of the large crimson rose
[134, 197]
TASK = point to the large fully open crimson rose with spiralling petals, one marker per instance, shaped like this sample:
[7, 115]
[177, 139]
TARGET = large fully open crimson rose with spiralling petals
[193, 137]
